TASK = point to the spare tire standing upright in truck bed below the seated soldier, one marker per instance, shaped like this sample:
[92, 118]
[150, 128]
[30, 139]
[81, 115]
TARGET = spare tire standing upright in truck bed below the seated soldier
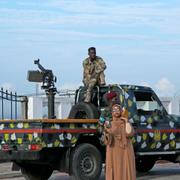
[84, 110]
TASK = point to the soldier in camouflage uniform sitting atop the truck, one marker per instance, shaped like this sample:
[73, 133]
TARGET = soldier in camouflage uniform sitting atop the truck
[93, 75]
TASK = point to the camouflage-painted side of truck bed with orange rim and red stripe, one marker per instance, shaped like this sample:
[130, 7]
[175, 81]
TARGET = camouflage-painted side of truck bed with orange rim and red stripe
[34, 135]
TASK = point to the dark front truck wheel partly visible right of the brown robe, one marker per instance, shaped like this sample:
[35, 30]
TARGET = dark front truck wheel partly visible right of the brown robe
[144, 164]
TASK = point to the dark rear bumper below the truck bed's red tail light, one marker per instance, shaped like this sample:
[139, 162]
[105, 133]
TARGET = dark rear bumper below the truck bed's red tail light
[19, 155]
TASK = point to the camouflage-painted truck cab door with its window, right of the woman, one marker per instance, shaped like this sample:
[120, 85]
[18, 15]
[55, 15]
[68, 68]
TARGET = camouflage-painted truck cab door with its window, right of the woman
[151, 132]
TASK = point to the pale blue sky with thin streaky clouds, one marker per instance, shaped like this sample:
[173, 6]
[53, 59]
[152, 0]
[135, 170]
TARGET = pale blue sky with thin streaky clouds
[139, 41]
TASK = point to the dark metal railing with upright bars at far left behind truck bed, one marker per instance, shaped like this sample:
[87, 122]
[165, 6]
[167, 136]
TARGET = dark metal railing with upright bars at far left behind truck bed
[15, 100]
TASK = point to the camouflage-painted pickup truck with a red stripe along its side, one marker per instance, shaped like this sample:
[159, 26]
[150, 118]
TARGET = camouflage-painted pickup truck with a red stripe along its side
[38, 147]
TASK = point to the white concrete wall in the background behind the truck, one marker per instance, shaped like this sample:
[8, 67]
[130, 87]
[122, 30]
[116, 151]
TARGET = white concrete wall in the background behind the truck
[37, 106]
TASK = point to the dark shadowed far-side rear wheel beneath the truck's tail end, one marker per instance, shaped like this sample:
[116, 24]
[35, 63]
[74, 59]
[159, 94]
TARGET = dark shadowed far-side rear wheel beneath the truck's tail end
[36, 172]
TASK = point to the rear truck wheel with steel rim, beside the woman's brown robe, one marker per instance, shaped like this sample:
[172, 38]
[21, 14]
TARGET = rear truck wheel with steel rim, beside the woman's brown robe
[86, 163]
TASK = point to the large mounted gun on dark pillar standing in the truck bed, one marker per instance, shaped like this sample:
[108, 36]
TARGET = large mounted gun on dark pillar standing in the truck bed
[48, 80]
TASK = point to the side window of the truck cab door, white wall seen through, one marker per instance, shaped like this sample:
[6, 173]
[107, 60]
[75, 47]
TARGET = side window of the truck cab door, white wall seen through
[146, 102]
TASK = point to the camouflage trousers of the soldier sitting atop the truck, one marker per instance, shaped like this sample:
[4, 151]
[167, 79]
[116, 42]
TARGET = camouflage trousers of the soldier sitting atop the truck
[90, 83]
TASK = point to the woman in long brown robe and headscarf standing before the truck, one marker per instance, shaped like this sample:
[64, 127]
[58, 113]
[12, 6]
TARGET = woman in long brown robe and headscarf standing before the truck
[120, 159]
